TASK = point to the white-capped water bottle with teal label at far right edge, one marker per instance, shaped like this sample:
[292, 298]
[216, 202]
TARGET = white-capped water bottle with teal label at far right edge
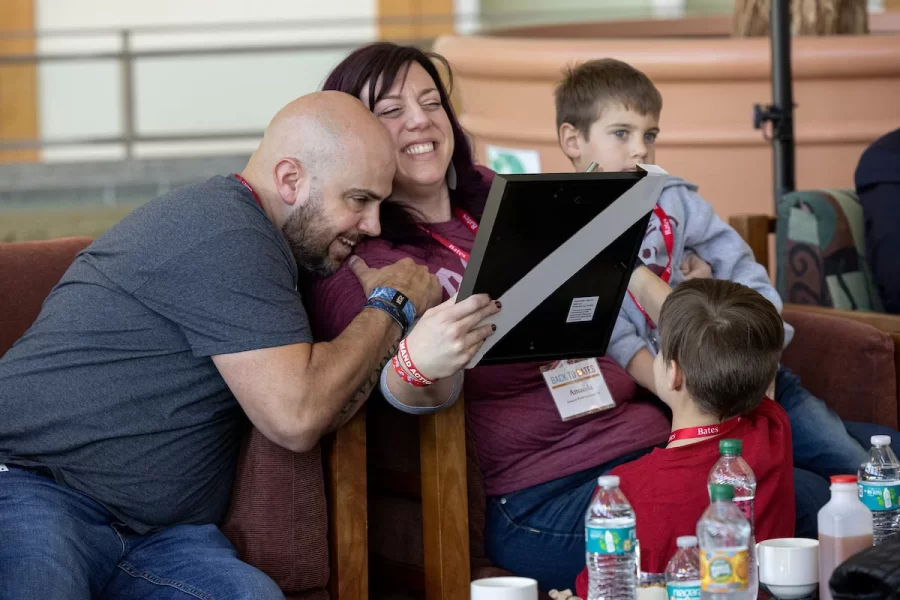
[879, 487]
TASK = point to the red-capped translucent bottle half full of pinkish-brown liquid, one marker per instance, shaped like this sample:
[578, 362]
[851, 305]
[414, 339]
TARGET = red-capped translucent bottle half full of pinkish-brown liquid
[845, 528]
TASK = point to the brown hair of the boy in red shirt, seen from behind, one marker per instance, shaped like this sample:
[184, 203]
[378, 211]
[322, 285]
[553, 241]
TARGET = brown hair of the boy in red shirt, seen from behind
[727, 340]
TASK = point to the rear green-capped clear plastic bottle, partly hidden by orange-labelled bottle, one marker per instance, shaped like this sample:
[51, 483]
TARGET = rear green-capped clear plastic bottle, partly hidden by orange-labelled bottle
[731, 469]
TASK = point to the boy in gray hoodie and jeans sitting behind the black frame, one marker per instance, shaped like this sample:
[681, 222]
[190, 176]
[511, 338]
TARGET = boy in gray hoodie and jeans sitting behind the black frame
[608, 112]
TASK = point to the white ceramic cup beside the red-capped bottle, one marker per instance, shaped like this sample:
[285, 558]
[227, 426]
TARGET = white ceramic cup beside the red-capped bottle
[789, 566]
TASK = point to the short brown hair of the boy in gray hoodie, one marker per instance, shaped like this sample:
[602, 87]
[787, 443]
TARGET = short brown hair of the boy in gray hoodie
[589, 87]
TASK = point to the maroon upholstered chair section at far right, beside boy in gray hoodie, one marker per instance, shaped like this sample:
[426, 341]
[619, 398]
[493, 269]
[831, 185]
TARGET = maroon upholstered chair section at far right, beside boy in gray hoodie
[851, 365]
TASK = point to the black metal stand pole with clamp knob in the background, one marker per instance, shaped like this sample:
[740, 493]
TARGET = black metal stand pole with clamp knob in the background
[781, 112]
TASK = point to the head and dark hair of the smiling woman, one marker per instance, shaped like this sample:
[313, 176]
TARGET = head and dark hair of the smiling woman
[435, 169]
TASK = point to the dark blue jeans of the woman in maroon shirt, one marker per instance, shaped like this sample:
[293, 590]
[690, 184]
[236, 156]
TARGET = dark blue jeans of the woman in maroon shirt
[538, 532]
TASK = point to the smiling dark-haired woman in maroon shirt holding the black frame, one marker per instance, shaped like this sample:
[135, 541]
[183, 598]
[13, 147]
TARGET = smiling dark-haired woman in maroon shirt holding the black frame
[539, 471]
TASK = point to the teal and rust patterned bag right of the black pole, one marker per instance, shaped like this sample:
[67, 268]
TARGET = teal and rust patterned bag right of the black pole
[820, 250]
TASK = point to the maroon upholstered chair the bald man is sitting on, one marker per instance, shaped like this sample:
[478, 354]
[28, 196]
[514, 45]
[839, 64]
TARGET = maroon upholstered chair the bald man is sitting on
[278, 517]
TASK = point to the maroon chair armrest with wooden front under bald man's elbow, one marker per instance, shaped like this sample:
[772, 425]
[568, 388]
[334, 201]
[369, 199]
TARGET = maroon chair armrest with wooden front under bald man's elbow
[284, 522]
